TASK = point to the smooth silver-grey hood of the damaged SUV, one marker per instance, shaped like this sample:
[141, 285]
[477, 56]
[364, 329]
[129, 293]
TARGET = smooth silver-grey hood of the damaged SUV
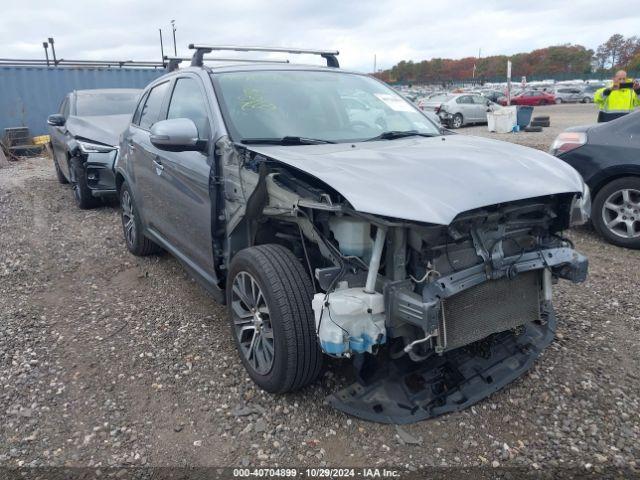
[430, 180]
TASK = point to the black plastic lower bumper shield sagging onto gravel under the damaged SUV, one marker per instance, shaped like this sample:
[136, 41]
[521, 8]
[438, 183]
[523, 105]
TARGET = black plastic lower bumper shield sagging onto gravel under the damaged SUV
[411, 392]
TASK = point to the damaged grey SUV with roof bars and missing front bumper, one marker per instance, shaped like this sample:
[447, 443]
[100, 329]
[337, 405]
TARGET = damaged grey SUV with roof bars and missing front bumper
[334, 218]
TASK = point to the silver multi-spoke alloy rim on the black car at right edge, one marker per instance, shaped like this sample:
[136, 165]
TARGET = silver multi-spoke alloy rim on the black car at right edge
[621, 213]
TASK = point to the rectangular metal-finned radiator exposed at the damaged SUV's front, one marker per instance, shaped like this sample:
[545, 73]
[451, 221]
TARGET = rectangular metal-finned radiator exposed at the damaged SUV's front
[490, 307]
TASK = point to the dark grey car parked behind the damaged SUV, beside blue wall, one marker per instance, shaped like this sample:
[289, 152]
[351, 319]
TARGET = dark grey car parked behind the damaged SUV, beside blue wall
[84, 140]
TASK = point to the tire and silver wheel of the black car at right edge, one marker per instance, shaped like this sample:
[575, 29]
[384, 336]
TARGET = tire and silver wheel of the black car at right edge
[616, 212]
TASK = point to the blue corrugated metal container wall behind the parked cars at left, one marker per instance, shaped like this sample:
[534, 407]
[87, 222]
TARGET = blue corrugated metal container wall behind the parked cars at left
[28, 95]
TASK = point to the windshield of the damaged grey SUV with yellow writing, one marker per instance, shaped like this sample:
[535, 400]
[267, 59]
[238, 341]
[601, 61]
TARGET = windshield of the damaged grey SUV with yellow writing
[325, 106]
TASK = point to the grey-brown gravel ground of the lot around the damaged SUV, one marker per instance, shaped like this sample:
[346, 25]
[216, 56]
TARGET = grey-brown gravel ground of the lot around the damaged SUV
[108, 359]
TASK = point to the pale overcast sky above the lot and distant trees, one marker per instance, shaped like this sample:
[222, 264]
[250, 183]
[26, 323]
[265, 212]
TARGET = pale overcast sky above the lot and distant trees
[393, 30]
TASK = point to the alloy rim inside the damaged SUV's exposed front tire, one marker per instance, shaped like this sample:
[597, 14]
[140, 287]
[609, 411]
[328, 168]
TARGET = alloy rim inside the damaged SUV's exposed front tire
[252, 323]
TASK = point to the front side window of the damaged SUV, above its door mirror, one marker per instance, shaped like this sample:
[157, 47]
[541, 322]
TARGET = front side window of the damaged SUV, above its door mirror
[187, 101]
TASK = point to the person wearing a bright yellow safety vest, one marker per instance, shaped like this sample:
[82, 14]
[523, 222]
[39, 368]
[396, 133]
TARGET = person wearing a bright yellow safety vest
[618, 99]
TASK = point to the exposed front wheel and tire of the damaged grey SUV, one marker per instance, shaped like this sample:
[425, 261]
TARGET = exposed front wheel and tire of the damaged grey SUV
[269, 297]
